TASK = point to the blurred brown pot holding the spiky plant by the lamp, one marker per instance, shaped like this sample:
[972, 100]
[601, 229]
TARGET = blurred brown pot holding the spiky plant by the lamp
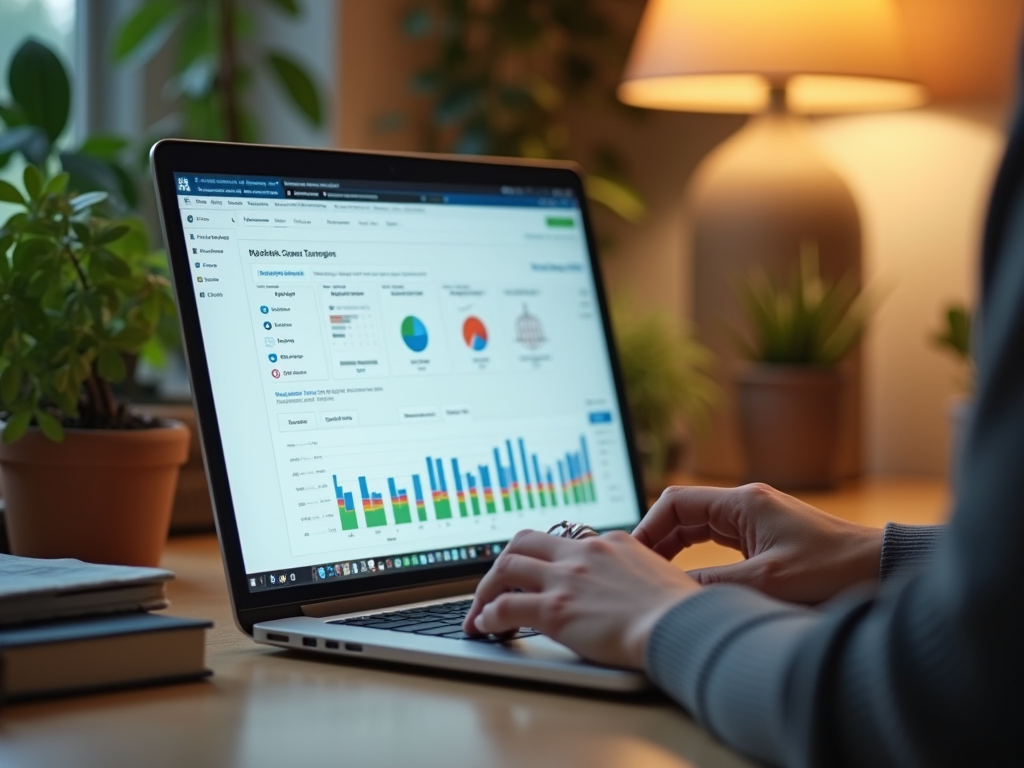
[790, 420]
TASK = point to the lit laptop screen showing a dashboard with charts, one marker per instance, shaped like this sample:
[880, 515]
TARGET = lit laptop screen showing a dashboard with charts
[404, 377]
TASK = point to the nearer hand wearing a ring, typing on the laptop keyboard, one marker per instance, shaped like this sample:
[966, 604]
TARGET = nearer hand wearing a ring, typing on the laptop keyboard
[601, 596]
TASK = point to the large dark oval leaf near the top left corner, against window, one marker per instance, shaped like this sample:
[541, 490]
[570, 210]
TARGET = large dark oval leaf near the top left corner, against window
[39, 87]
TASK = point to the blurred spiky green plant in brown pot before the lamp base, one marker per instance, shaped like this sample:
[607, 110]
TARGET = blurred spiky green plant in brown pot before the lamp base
[801, 328]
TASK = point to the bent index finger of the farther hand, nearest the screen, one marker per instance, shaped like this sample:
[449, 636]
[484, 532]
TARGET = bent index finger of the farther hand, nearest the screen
[689, 506]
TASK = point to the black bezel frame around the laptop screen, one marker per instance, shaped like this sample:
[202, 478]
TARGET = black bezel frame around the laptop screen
[170, 156]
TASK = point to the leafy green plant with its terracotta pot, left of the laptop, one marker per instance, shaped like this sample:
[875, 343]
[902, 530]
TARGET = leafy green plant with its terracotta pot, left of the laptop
[83, 476]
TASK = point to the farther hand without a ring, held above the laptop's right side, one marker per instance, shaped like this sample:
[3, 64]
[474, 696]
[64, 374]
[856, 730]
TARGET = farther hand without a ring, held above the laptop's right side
[793, 551]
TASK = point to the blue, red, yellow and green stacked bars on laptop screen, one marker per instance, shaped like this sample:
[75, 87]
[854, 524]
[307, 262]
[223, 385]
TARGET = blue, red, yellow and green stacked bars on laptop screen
[521, 483]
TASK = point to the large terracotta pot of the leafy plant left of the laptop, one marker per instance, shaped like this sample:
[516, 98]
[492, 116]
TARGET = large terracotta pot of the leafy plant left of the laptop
[101, 496]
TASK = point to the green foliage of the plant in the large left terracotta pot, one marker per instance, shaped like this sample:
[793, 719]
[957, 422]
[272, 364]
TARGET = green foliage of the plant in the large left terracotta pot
[79, 293]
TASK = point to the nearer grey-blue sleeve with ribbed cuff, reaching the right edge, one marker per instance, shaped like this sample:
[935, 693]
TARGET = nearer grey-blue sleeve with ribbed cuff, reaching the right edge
[927, 670]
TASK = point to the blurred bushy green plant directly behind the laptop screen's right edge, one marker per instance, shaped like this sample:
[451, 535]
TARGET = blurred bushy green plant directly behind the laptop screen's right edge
[668, 387]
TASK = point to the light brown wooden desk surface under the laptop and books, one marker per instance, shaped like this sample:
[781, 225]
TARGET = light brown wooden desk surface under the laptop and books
[270, 708]
